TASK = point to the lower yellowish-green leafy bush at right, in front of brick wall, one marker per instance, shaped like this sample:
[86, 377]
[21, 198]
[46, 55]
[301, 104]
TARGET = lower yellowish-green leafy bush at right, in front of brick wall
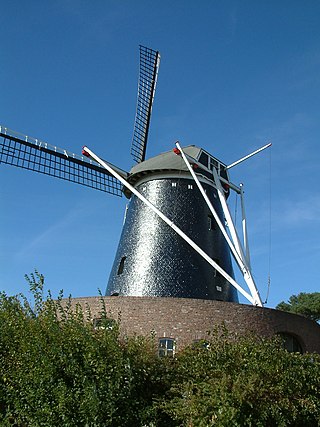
[244, 382]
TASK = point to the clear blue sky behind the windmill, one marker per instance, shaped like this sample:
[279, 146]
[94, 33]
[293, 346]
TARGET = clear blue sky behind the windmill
[233, 76]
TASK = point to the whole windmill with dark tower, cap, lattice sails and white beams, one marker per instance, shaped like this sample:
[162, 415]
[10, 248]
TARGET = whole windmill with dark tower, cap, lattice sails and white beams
[174, 240]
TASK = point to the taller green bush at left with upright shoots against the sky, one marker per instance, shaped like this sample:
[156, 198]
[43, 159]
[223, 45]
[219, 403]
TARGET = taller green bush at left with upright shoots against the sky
[58, 370]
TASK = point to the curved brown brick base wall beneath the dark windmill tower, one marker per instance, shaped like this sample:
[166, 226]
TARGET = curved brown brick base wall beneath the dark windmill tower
[187, 320]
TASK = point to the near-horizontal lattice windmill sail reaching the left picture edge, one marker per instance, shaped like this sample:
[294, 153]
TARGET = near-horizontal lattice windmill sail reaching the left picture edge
[33, 154]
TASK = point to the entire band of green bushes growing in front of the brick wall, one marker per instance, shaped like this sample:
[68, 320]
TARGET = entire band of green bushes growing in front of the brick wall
[57, 369]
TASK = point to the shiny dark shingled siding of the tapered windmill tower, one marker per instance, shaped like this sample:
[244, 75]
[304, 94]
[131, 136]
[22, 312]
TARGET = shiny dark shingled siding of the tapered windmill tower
[152, 260]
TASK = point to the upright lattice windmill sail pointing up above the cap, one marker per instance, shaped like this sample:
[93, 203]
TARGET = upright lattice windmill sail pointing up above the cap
[149, 66]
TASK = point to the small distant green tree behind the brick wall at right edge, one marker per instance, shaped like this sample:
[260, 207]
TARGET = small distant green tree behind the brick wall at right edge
[307, 304]
